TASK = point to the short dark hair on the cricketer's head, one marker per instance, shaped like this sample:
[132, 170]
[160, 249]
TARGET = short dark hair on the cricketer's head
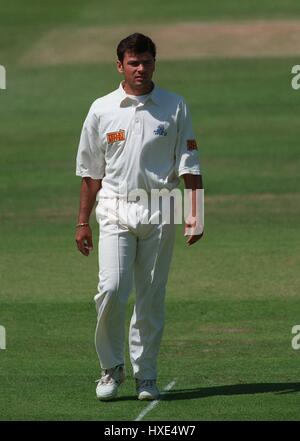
[136, 43]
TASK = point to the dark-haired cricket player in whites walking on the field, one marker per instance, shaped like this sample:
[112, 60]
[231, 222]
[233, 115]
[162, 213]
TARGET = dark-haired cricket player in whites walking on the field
[136, 139]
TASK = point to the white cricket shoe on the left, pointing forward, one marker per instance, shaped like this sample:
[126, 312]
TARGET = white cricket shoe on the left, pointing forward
[107, 387]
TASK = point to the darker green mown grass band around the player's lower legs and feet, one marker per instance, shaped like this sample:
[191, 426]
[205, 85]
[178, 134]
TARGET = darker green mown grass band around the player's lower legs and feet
[228, 365]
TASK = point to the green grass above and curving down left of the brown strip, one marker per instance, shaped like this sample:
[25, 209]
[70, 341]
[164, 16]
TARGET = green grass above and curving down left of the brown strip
[21, 26]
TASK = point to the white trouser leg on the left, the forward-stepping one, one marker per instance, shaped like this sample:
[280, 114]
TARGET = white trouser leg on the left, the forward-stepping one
[117, 251]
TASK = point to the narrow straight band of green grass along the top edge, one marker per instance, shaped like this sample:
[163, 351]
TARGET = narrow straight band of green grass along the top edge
[96, 12]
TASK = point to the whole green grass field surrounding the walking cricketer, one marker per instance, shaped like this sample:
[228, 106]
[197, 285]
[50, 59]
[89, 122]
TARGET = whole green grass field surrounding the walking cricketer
[232, 298]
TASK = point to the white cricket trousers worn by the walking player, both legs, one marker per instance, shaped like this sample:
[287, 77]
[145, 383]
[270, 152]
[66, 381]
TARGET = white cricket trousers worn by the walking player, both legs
[131, 251]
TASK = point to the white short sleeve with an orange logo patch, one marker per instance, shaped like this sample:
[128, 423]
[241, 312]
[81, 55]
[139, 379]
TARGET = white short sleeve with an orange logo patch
[186, 150]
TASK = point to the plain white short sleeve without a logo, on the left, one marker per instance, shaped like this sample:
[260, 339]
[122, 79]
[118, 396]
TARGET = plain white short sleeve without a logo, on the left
[90, 160]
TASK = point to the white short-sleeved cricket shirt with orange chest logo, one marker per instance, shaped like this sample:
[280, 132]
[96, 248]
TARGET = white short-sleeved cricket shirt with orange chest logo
[145, 142]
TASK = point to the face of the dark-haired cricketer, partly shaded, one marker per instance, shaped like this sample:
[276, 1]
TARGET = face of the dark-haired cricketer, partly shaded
[138, 70]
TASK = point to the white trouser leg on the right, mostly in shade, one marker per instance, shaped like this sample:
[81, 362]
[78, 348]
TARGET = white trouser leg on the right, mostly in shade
[153, 259]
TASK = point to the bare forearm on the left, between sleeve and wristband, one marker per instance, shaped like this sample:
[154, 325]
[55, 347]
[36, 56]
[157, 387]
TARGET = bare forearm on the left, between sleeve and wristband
[88, 193]
